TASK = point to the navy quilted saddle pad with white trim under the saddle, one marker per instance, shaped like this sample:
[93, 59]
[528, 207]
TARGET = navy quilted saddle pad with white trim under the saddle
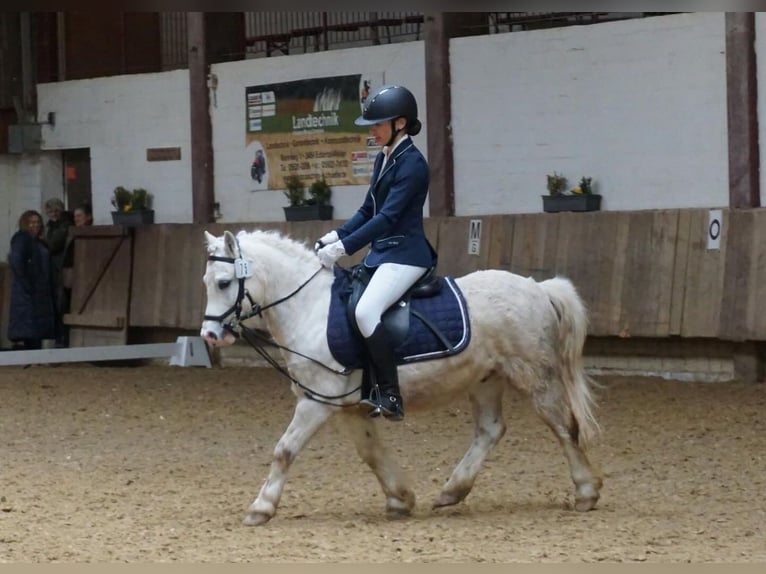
[447, 311]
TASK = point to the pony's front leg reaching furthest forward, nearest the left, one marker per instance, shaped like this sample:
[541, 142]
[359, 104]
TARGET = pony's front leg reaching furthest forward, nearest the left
[308, 418]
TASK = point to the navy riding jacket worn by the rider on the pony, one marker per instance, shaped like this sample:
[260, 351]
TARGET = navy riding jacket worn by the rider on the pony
[391, 218]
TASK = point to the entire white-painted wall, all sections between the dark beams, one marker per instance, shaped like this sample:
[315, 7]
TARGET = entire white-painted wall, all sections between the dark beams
[639, 105]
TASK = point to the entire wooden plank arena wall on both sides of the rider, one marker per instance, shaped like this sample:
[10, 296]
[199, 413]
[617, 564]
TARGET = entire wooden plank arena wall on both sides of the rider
[642, 274]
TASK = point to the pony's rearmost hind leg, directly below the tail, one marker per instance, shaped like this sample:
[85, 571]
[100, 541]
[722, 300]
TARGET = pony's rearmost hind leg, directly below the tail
[551, 405]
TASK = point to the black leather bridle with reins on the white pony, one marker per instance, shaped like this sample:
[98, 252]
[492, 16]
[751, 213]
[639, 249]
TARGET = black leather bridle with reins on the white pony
[243, 270]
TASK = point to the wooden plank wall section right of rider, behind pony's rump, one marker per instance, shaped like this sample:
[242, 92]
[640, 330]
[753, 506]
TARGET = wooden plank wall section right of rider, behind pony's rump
[641, 274]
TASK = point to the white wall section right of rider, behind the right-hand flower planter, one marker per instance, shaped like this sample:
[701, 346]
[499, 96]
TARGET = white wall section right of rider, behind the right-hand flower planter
[638, 105]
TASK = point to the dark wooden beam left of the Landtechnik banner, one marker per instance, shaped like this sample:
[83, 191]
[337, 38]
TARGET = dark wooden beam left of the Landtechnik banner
[203, 195]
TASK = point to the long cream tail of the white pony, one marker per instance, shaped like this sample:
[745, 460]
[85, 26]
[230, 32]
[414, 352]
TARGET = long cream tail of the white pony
[573, 328]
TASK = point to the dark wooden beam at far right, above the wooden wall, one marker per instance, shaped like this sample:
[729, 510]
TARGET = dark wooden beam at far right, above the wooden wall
[742, 110]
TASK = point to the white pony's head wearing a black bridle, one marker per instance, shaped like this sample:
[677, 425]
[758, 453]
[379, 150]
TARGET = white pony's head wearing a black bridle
[225, 276]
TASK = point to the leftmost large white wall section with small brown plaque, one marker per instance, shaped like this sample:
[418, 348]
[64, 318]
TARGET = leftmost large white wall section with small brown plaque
[118, 118]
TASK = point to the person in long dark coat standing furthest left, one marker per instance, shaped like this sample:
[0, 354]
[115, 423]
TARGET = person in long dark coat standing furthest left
[32, 310]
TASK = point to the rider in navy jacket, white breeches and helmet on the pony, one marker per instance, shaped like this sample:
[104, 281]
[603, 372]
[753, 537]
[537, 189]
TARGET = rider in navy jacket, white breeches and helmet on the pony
[391, 221]
